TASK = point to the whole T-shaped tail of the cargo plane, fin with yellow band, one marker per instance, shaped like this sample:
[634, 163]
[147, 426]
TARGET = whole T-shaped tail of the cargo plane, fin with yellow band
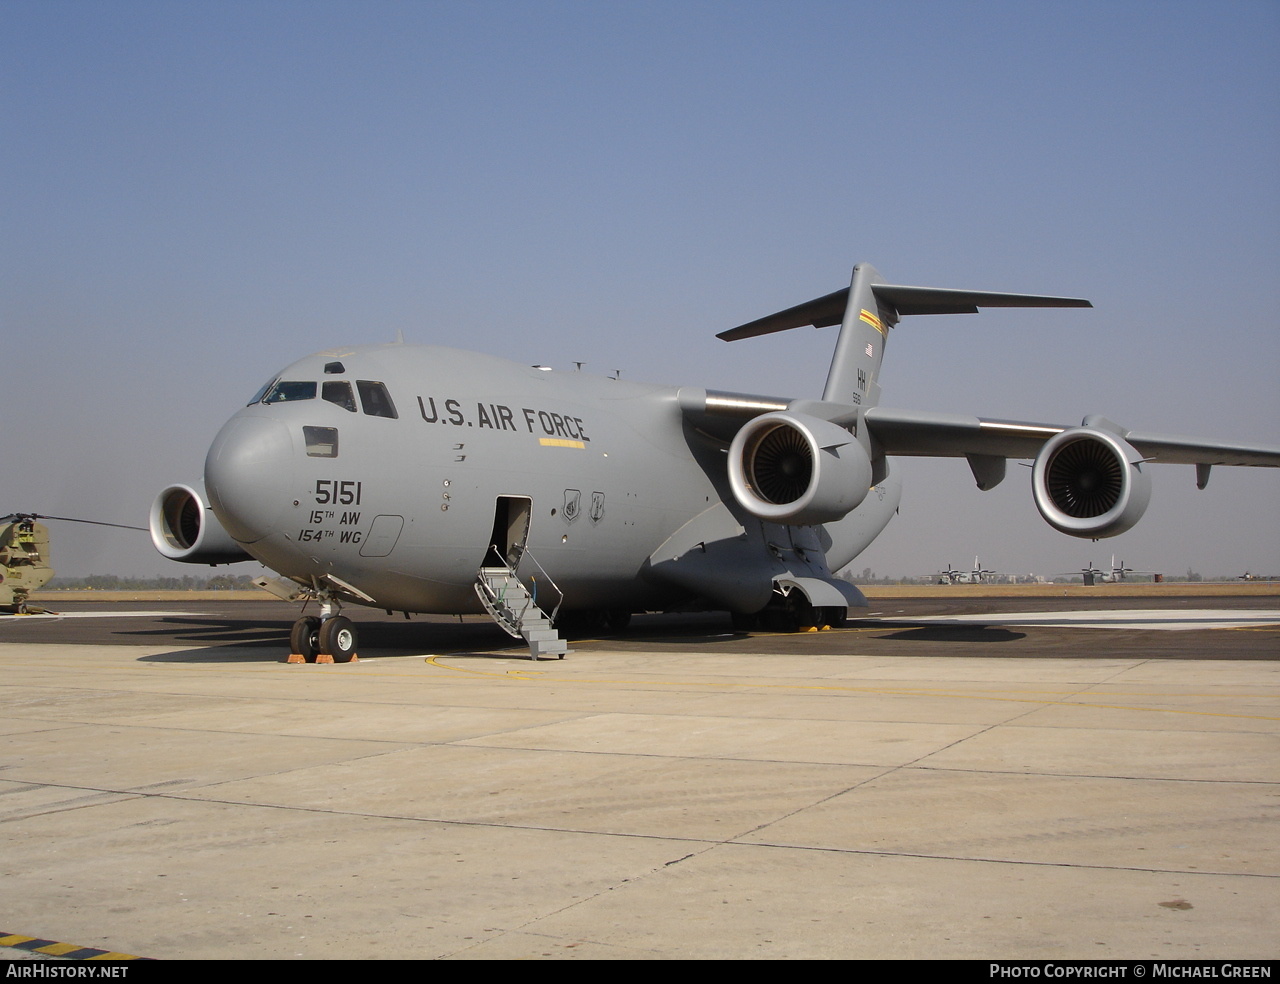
[866, 312]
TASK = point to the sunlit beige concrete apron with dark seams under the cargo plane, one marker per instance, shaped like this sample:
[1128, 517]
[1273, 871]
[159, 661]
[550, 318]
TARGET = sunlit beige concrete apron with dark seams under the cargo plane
[894, 790]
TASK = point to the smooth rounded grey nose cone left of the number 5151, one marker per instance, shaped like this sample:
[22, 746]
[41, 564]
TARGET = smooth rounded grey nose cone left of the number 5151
[248, 475]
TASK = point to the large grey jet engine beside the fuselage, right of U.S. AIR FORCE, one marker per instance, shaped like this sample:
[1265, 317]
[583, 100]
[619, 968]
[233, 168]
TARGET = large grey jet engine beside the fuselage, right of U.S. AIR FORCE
[798, 470]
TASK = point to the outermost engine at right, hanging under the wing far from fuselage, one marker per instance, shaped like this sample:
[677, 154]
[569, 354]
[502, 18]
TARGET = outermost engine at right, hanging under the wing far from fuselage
[1090, 483]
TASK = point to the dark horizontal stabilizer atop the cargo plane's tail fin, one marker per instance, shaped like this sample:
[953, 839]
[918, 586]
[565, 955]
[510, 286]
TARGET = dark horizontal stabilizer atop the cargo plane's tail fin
[830, 309]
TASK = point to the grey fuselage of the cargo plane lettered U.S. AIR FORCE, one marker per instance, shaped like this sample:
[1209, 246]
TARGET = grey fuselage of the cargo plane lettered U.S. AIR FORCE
[397, 469]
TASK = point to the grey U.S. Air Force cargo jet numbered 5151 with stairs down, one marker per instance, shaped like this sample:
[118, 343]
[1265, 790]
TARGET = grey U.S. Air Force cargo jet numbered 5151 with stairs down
[424, 479]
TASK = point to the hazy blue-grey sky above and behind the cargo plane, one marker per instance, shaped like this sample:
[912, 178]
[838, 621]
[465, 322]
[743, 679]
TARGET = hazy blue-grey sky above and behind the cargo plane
[198, 194]
